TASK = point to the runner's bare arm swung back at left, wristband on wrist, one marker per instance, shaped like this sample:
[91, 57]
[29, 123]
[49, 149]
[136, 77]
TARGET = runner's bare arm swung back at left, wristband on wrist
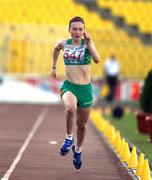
[56, 52]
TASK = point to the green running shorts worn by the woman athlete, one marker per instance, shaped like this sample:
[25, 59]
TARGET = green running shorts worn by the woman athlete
[82, 92]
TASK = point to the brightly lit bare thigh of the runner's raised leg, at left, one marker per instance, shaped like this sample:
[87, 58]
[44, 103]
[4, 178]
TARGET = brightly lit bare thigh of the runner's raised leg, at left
[69, 99]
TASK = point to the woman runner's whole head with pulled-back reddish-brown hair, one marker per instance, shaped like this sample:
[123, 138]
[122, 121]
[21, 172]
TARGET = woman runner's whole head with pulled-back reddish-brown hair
[77, 28]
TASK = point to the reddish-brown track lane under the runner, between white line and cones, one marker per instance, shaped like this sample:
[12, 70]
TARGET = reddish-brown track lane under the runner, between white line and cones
[41, 160]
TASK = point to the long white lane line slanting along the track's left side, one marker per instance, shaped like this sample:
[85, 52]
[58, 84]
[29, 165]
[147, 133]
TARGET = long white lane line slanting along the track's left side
[37, 124]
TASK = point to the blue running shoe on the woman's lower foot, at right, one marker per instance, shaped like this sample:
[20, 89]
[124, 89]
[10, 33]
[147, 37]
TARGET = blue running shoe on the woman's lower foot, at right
[77, 162]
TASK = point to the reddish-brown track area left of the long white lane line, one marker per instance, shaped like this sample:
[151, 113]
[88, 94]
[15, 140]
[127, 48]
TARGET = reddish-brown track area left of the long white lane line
[15, 125]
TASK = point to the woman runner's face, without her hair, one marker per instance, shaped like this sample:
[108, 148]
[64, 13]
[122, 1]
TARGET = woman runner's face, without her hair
[76, 30]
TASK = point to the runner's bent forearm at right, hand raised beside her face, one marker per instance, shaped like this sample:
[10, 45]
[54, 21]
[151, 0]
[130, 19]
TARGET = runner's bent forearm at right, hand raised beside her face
[91, 48]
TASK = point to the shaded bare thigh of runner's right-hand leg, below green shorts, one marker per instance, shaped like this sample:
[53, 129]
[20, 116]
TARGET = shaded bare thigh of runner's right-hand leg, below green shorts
[83, 115]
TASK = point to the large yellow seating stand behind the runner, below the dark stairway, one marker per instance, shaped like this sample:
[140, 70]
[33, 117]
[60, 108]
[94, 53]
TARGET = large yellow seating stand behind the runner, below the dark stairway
[29, 30]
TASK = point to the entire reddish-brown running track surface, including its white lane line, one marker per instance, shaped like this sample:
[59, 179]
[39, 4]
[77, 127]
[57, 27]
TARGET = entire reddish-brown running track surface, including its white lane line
[30, 137]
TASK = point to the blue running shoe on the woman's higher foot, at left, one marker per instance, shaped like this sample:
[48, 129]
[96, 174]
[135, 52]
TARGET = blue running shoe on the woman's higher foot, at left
[65, 148]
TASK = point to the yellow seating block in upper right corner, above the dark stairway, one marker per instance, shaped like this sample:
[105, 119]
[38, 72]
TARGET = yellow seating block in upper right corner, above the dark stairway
[134, 12]
